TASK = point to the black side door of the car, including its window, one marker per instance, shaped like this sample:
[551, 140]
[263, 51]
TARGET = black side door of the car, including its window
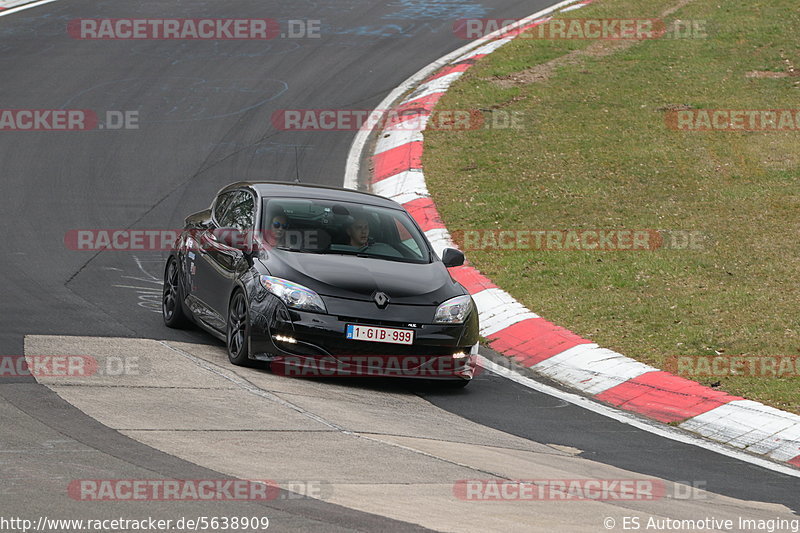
[218, 264]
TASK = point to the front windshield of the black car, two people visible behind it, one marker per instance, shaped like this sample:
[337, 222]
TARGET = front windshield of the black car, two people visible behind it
[344, 228]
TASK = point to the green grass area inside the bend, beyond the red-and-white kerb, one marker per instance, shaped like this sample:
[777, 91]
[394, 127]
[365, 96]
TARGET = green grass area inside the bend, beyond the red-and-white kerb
[595, 152]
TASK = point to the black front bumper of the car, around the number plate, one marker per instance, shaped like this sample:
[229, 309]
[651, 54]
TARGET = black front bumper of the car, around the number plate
[305, 343]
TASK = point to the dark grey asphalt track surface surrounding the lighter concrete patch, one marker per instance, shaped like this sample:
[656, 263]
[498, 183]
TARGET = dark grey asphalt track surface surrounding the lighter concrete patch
[205, 111]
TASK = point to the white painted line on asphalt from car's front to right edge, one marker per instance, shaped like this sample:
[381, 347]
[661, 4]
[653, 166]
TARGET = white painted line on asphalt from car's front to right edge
[633, 420]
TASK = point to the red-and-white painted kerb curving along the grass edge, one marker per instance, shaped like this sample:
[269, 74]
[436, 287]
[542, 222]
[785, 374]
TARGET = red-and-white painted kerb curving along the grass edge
[532, 341]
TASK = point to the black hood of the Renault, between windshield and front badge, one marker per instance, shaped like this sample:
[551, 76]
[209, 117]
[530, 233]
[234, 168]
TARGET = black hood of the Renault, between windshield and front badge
[359, 278]
